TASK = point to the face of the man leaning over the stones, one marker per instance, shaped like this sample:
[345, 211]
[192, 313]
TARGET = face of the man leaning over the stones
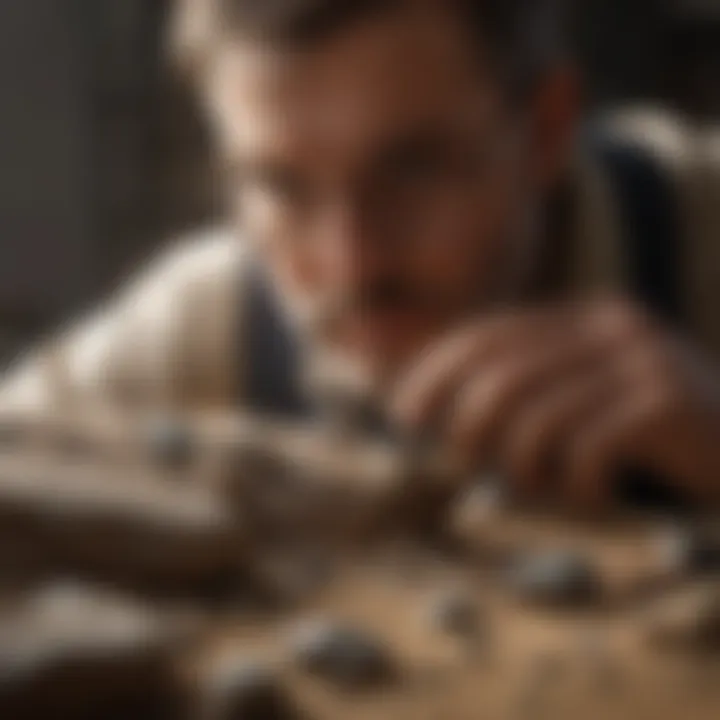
[384, 177]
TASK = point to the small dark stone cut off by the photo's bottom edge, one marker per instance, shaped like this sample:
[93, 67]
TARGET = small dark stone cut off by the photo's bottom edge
[240, 689]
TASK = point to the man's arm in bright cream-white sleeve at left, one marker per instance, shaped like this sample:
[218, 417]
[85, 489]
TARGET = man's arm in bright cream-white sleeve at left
[163, 341]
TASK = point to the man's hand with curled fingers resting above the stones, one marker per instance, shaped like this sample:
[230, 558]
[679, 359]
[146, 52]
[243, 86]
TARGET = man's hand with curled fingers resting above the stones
[561, 399]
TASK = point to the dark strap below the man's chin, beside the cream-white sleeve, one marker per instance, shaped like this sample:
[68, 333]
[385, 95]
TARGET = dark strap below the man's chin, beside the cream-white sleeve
[269, 350]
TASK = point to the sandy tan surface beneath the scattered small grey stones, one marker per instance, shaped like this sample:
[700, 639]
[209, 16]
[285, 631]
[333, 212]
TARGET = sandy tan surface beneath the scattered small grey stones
[527, 663]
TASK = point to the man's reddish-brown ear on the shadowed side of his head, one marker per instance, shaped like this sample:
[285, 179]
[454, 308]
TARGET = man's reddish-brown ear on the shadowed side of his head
[555, 114]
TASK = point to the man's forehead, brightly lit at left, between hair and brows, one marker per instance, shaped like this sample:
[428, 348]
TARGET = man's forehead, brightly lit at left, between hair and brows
[367, 81]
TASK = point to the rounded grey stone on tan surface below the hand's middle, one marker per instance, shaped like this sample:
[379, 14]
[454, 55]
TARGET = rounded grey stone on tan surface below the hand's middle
[555, 578]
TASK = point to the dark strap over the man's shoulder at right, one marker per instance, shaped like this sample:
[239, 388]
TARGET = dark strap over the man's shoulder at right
[650, 225]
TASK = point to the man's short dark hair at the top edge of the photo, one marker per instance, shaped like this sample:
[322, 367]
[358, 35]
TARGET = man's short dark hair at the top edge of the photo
[521, 37]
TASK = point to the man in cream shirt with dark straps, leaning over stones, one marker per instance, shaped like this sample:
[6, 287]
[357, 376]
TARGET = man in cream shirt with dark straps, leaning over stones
[413, 204]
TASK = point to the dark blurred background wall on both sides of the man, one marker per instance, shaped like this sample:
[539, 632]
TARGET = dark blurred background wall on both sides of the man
[103, 155]
